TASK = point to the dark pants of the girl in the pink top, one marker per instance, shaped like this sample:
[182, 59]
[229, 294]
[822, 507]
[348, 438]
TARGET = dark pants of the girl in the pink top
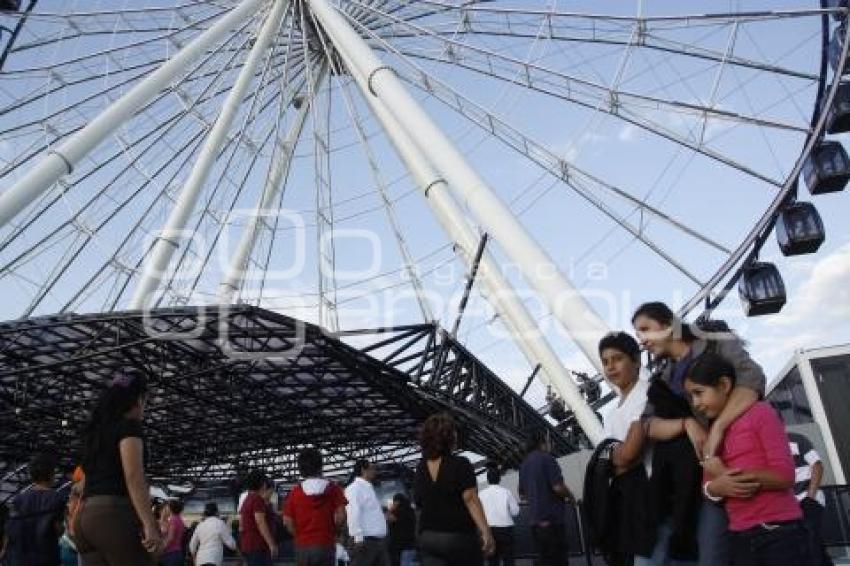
[784, 543]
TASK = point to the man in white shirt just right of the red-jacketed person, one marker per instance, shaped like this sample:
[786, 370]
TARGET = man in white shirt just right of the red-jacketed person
[367, 525]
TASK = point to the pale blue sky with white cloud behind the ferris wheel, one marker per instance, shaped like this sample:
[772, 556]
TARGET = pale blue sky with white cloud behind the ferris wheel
[616, 272]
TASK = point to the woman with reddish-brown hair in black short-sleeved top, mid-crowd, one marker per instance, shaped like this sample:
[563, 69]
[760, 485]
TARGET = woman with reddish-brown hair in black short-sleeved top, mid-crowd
[446, 492]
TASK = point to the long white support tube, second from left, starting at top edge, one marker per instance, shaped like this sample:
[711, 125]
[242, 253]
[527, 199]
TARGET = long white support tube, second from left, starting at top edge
[169, 237]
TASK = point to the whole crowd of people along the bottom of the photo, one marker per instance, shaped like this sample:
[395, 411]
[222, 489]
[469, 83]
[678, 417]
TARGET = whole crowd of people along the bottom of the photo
[698, 469]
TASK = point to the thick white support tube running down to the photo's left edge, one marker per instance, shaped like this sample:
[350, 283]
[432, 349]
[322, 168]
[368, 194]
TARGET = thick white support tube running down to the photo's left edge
[61, 160]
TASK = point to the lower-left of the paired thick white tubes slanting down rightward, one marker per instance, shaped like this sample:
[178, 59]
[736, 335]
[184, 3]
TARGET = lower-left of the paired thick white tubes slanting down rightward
[497, 289]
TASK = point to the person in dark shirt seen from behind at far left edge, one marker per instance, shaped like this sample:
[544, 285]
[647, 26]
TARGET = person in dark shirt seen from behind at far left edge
[36, 518]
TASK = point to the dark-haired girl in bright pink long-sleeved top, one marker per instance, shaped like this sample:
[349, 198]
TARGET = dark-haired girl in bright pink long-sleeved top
[757, 476]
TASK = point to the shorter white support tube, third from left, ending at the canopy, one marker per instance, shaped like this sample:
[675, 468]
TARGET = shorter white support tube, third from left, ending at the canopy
[281, 162]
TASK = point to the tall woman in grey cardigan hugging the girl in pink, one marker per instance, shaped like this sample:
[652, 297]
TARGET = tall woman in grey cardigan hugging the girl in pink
[669, 422]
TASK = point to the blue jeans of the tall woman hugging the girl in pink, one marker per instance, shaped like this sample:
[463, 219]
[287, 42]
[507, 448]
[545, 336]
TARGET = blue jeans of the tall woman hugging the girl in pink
[712, 538]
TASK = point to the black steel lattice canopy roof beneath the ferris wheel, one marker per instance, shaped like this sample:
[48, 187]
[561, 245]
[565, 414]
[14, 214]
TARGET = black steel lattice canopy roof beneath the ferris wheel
[239, 387]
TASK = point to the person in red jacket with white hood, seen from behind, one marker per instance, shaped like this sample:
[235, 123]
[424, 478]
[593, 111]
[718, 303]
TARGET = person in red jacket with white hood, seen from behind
[313, 511]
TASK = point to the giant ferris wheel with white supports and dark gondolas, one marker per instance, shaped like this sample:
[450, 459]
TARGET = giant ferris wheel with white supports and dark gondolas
[320, 156]
